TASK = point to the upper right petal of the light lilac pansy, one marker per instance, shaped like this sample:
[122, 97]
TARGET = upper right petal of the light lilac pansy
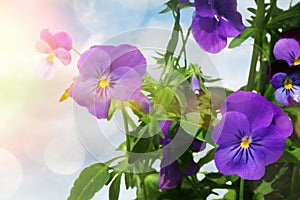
[129, 56]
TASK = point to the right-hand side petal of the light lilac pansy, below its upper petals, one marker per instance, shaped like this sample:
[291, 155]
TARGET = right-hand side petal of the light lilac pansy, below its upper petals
[127, 81]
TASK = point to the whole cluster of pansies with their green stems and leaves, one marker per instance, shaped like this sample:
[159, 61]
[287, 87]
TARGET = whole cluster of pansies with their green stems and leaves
[252, 132]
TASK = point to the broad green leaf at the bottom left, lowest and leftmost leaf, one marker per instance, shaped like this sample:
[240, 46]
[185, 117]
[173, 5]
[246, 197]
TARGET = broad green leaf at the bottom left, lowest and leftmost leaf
[90, 181]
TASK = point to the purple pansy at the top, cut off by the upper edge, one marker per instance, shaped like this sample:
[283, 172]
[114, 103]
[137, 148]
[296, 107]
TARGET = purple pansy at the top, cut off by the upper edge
[214, 21]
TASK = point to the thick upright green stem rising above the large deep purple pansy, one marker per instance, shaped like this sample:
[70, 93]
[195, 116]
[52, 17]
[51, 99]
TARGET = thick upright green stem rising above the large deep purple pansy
[259, 22]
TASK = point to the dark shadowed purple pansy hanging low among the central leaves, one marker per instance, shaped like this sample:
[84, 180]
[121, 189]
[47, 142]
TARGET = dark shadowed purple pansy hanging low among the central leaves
[171, 174]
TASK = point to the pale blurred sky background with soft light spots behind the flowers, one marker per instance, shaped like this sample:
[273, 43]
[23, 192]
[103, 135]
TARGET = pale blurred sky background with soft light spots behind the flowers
[41, 153]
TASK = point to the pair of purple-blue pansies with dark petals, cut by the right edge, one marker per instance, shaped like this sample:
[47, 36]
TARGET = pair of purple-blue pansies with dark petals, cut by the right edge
[286, 70]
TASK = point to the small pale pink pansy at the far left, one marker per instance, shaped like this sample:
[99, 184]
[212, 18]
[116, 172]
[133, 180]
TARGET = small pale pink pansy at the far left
[57, 45]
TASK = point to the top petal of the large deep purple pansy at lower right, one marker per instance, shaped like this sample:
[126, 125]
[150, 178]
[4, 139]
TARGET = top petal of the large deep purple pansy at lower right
[250, 104]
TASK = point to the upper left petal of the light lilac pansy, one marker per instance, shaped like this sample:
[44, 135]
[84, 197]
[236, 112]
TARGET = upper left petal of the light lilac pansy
[94, 63]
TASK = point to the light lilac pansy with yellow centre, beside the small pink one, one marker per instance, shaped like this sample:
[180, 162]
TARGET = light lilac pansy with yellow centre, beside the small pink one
[108, 72]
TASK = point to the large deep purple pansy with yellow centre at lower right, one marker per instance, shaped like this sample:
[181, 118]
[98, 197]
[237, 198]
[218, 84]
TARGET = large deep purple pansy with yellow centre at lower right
[250, 135]
